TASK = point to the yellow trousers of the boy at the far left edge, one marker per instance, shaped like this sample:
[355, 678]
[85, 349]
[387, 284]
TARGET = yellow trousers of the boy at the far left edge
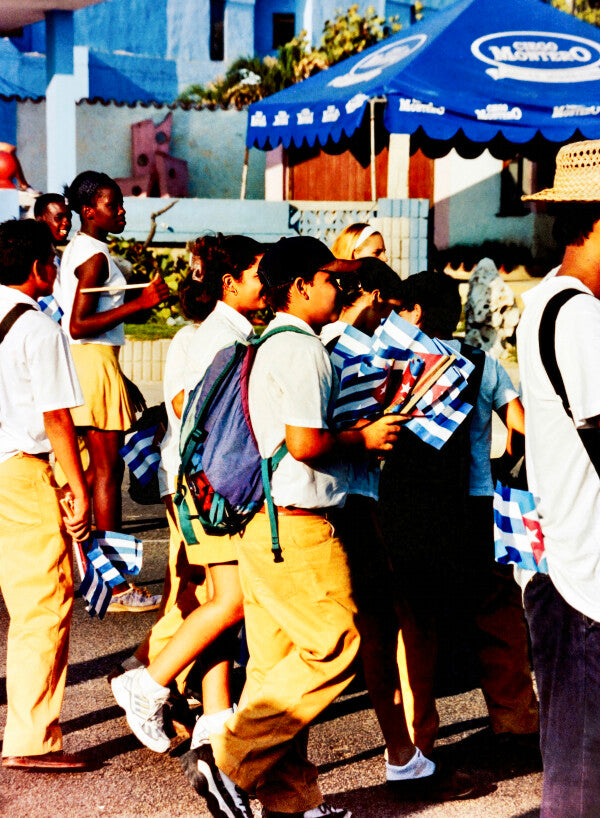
[36, 579]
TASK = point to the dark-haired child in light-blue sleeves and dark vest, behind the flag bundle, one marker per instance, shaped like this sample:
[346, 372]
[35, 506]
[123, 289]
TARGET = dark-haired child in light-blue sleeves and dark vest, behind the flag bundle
[436, 514]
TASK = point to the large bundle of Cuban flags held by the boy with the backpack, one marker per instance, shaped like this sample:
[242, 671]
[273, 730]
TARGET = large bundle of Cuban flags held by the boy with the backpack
[398, 350]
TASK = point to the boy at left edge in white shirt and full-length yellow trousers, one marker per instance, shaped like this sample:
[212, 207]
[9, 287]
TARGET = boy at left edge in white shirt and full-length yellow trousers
[38, 386]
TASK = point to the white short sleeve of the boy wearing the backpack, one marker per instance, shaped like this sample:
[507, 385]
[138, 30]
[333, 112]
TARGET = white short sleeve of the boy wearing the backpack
[304, 378]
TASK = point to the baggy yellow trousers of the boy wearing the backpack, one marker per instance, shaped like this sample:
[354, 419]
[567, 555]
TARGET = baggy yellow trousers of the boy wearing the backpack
[300, 626]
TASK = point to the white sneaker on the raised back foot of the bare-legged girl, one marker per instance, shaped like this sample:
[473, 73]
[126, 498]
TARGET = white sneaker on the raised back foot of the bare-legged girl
[143, 699]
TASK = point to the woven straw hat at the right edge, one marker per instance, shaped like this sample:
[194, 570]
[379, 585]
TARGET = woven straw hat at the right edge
[577, 177]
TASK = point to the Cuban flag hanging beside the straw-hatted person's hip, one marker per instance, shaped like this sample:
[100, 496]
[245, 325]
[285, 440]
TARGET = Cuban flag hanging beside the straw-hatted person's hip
[518, 534]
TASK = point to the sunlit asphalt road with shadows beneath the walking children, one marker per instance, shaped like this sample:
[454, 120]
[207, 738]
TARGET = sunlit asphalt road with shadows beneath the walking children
[131, 781]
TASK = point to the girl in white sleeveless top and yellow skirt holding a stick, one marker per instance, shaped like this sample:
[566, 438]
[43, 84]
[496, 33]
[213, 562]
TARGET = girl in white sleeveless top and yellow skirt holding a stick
[94, 323]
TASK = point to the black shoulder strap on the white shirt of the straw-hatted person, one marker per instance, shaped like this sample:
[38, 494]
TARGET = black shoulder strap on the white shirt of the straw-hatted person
[590, 438]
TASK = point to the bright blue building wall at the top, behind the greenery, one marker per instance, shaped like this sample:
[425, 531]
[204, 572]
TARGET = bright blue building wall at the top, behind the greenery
[143, 50]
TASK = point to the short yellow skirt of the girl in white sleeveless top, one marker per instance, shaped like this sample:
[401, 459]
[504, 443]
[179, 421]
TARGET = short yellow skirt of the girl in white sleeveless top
[107, 403]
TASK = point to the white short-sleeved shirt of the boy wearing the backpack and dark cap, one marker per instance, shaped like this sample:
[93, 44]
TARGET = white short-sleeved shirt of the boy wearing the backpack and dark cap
[291, 384]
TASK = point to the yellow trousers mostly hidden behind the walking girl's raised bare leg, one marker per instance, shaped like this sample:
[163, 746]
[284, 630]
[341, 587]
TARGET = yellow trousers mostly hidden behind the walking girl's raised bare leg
[182, 594]
